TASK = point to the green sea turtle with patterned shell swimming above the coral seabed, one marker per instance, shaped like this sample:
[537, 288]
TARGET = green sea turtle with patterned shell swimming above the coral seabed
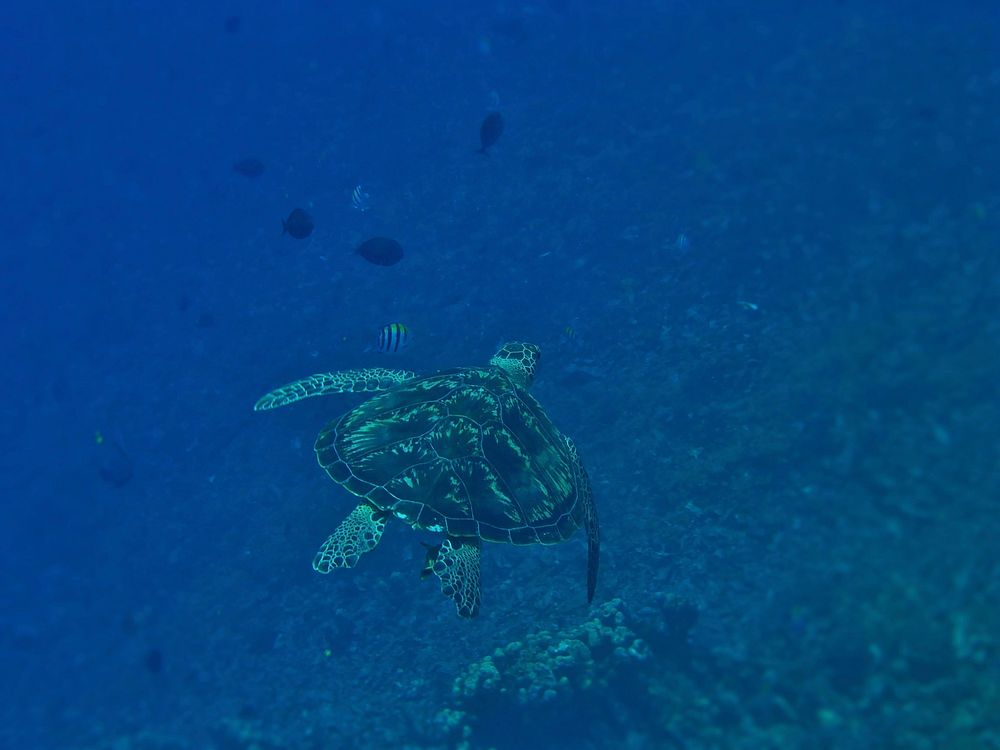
[467, 452]
